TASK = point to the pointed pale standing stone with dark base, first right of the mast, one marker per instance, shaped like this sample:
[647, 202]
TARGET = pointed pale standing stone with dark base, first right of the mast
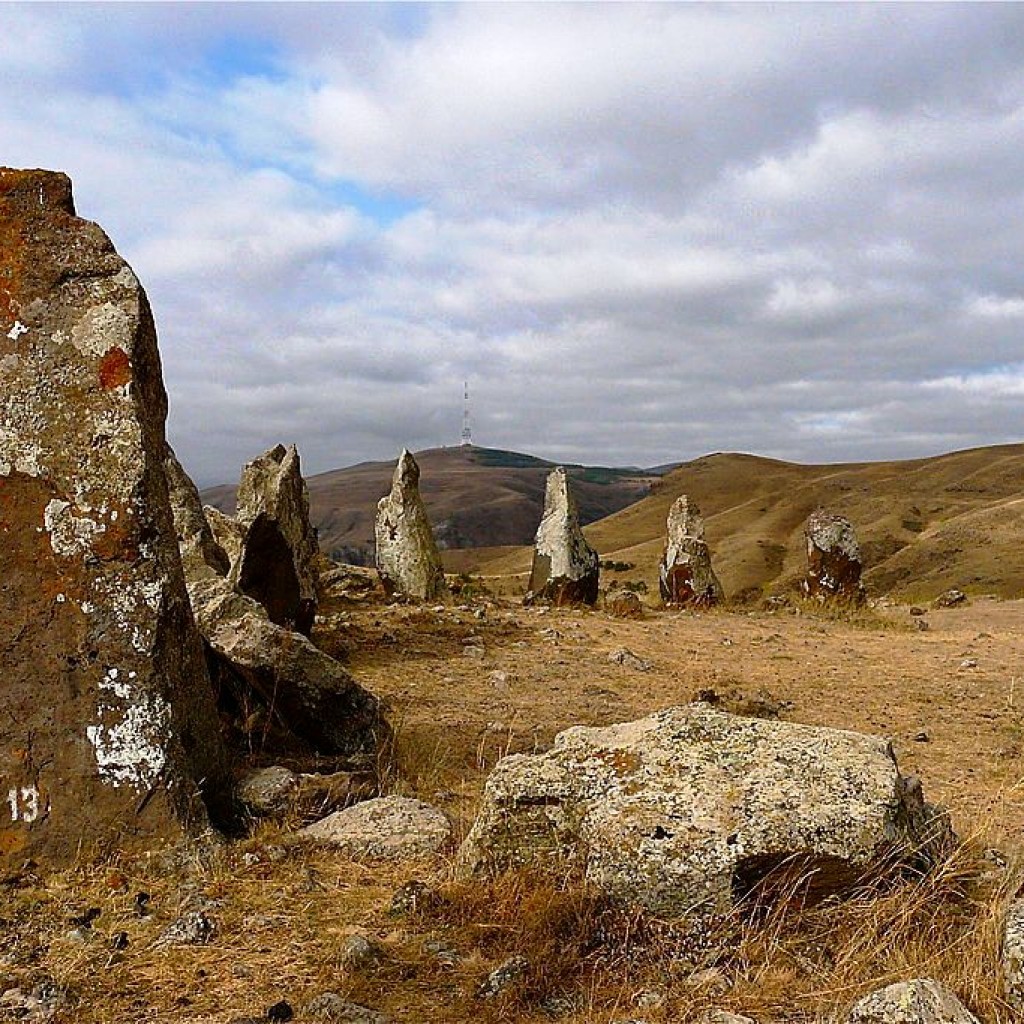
[566, 568]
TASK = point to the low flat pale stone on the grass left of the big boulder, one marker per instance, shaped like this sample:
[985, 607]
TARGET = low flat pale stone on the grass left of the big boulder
[386, 829]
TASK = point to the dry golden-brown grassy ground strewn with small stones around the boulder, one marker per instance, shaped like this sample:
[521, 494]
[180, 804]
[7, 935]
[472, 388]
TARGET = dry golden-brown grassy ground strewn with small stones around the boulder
[288, 923]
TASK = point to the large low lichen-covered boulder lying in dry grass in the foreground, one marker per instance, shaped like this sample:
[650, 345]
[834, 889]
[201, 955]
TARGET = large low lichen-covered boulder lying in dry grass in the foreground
[687, 810]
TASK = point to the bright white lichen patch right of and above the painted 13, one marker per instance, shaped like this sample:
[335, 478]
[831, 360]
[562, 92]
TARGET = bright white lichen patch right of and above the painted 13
[132, 752]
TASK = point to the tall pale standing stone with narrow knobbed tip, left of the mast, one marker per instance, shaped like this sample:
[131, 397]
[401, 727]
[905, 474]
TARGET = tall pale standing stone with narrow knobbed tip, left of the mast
[407, 553]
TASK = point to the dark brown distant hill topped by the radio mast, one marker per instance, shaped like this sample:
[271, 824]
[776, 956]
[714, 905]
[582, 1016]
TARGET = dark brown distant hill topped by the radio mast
[477, 497]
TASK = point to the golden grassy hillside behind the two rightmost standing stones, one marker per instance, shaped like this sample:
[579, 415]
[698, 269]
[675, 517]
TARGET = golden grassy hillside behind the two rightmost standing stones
[925, 525]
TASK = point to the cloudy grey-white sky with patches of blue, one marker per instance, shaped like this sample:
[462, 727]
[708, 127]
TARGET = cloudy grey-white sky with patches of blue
[642, 233]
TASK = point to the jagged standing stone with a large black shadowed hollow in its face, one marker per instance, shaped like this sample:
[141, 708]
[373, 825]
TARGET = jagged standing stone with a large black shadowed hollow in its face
[278, 563]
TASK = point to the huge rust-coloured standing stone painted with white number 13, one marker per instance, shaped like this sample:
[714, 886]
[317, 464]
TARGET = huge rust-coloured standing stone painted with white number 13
[110, 735]
